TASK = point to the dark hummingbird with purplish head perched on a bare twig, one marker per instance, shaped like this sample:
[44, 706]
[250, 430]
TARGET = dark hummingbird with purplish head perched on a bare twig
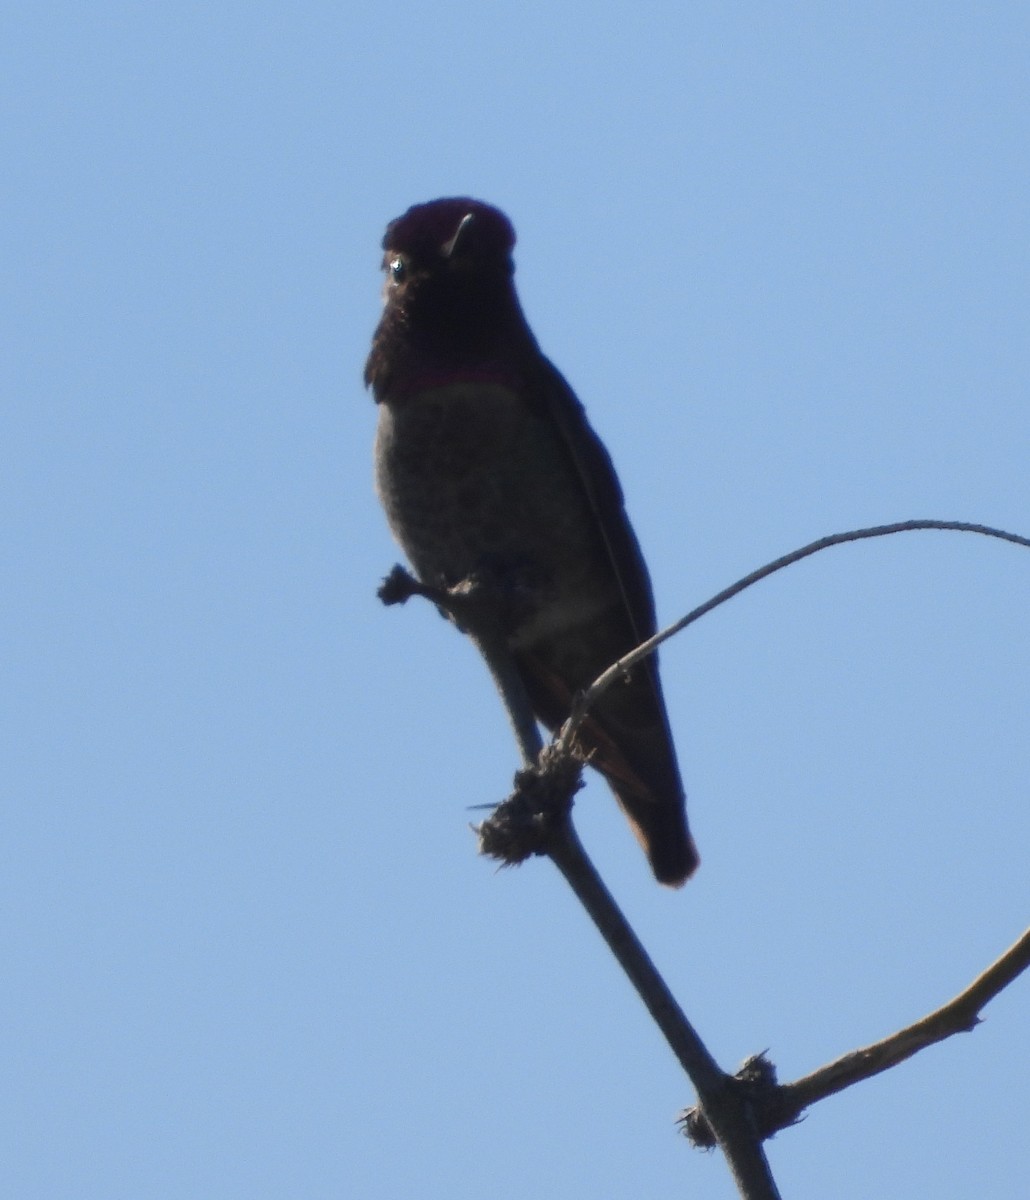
[487, 466]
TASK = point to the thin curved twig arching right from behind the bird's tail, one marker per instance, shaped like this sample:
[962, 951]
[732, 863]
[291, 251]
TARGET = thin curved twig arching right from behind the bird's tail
[618, 670]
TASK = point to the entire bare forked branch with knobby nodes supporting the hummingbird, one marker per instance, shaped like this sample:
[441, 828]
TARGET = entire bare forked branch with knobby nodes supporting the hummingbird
[735, 1112]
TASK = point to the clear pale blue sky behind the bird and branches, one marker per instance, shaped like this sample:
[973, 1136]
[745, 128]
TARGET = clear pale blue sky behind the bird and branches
[248, 949]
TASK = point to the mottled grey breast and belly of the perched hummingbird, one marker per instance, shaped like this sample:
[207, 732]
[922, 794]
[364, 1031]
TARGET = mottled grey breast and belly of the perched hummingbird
[476, 482]
